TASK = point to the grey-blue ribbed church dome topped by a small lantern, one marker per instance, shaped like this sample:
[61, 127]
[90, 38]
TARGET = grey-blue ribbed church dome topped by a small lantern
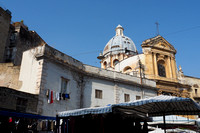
[120, 43]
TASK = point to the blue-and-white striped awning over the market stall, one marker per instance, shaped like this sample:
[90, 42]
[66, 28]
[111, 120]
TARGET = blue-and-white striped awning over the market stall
[154, 106]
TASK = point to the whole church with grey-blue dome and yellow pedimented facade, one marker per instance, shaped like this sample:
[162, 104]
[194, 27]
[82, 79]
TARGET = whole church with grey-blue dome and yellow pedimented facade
[157, 62]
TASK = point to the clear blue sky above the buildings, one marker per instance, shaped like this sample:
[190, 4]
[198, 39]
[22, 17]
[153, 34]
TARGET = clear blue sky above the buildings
[82, 28]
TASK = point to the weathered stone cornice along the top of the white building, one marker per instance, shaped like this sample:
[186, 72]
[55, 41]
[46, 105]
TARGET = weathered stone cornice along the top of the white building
[48, 53]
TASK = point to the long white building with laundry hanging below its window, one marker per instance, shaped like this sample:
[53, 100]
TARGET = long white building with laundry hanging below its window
[64, 83]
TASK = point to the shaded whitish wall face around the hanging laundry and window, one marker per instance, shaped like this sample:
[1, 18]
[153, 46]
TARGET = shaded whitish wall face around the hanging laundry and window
[54, 74]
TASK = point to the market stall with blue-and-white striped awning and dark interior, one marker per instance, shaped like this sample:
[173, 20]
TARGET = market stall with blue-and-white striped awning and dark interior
[124, 116]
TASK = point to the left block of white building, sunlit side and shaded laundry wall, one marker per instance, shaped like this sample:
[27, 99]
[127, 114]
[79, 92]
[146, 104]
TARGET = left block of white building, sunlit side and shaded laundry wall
[42, 68]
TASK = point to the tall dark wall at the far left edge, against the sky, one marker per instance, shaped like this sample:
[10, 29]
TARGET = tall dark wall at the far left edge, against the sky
[5, 19]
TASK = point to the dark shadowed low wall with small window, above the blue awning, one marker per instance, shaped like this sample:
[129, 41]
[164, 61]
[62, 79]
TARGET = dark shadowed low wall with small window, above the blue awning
[18, 101]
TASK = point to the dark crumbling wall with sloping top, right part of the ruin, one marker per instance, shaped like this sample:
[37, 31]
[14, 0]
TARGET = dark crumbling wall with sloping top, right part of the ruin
[21, 40]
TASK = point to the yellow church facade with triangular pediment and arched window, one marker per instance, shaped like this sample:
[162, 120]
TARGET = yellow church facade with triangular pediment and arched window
[161, 66]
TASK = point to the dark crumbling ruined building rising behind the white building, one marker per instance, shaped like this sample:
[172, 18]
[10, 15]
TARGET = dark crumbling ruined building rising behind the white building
[15, 38]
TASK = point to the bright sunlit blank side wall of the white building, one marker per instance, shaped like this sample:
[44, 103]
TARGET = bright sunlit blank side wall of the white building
[31, 71]
